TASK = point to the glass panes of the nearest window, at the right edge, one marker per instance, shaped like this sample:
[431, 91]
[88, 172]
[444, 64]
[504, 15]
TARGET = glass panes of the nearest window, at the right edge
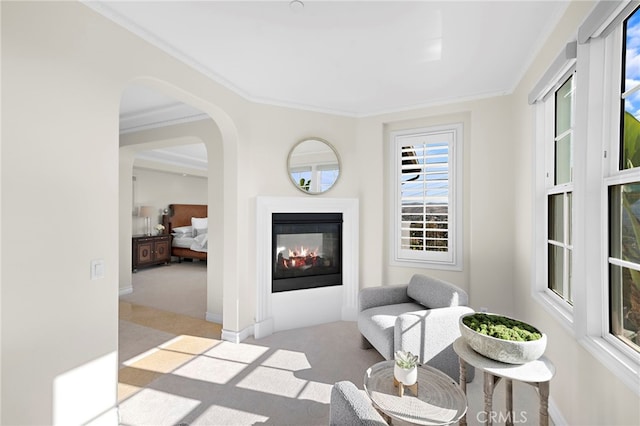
[624, 197]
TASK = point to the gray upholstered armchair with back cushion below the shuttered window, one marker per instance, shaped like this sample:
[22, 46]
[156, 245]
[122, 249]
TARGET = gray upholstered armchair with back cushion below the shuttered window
[420, 317]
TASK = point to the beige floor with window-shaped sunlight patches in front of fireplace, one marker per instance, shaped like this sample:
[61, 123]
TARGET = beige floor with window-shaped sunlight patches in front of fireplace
[175, 370]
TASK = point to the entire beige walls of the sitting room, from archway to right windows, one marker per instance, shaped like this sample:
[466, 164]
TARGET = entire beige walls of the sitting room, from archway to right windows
[62, 80]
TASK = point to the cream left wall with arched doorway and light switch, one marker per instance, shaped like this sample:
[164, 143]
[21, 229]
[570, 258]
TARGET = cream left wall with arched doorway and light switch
[63, 72]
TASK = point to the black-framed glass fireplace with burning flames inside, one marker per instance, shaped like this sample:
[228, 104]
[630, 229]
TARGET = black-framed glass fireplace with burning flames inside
[307, 250]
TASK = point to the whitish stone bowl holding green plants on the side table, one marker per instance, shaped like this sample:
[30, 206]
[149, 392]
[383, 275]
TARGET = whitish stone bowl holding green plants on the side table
[509, 351]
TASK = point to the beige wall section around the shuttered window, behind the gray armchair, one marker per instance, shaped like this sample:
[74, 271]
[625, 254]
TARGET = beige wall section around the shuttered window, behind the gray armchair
[488, 152]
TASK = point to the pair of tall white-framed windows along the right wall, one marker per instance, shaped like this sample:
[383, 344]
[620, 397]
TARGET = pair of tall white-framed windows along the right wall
[587, 180]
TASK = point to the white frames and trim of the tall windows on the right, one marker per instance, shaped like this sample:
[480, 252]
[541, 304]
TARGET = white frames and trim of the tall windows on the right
[596, 161]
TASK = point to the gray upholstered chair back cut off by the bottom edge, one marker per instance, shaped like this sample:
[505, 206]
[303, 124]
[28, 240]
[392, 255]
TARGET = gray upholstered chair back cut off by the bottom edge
[350, 406]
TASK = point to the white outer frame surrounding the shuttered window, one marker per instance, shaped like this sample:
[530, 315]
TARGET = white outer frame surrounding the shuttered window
[425, 259]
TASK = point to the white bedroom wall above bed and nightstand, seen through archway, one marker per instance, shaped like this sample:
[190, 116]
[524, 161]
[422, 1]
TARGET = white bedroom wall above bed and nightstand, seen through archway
[158, 189]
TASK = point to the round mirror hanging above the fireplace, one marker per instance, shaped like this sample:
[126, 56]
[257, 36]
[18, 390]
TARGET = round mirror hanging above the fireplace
[313, 166]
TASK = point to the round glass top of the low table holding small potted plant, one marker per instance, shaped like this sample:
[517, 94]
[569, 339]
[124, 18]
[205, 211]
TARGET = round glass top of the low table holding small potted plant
[440, 401]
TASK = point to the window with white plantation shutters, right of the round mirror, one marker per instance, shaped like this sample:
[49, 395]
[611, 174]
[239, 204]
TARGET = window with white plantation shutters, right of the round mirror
[426, 193]
